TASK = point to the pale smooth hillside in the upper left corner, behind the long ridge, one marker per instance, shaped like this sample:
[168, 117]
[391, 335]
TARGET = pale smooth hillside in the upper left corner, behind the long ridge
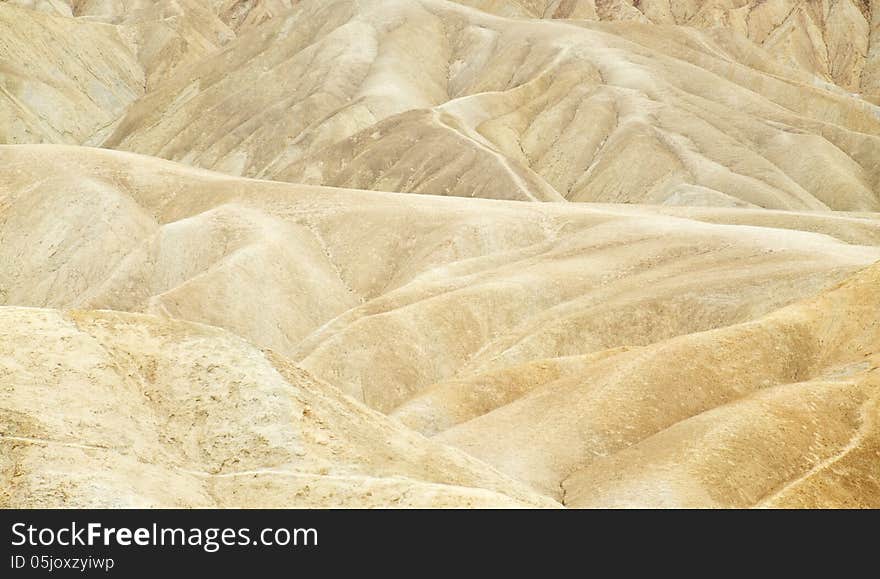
[62, 80]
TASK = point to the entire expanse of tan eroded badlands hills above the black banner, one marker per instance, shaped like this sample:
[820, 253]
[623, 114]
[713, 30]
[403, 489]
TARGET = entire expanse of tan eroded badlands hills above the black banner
[421, 253]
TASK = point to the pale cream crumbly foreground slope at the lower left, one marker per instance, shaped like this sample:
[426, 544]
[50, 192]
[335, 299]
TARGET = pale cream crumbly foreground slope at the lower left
[162, 413]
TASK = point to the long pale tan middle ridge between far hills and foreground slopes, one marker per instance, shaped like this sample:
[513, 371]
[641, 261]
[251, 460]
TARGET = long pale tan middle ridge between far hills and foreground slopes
[384, 294]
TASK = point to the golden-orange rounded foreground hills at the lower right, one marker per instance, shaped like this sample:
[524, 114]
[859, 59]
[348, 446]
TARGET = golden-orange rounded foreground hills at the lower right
[780, 411]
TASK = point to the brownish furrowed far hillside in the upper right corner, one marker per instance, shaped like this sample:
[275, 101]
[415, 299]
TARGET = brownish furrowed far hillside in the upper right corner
[832, 39]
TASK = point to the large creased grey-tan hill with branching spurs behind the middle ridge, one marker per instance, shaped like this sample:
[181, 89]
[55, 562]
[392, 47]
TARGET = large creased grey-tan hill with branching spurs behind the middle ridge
[431, 98]
